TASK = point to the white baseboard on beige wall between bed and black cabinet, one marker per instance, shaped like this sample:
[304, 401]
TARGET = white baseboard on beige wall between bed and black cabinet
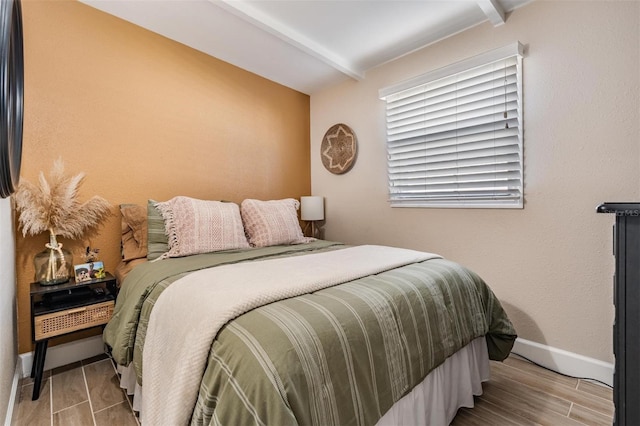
[565, 362]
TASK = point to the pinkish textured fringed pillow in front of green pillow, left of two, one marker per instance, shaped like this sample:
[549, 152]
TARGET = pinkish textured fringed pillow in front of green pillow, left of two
[197, 226]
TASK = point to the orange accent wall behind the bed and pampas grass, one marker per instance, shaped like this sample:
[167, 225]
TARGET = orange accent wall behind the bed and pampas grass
[146, 117]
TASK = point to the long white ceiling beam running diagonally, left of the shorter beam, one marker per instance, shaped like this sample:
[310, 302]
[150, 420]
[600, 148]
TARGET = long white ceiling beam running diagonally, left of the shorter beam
[244, 11]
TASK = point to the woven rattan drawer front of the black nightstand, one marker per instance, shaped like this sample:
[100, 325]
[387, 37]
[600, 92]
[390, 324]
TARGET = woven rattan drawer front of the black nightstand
[62, 322]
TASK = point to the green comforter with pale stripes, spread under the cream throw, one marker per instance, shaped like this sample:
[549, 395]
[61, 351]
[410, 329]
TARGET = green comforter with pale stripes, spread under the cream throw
[341, 355]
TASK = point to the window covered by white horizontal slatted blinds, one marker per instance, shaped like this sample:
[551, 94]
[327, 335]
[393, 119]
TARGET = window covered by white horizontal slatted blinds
[454, 135]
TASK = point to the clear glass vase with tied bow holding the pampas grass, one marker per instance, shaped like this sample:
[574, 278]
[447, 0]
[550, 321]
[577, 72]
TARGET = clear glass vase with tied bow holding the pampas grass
[54, 265]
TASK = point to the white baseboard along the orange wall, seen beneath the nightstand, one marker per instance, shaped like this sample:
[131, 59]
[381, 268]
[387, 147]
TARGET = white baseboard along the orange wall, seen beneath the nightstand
[64, 354]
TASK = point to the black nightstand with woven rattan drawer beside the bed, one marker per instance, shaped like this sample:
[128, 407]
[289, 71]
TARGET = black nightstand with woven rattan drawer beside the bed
[67, 308]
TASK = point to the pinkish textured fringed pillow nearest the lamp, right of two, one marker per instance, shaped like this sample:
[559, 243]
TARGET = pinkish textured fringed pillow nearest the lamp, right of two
[269, 223]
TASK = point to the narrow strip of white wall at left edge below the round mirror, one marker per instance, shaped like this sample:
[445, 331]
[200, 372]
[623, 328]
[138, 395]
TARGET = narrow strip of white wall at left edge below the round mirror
[8, 333]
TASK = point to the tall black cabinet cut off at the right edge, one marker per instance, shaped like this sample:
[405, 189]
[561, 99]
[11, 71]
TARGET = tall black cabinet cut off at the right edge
[626, 297]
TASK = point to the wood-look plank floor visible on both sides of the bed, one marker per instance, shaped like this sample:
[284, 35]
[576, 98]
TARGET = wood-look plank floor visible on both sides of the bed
[519, 393]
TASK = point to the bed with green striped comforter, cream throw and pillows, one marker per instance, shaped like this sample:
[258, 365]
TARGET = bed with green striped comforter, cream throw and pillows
[282, 329]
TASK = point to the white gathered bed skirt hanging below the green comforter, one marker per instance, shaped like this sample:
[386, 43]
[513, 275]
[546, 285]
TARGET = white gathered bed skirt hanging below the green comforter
[434, 401]
